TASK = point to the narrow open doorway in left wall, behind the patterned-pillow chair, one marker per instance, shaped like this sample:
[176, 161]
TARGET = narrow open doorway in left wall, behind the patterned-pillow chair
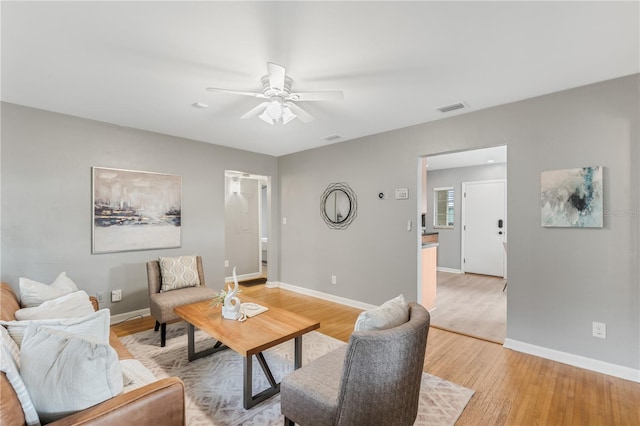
[246, 225]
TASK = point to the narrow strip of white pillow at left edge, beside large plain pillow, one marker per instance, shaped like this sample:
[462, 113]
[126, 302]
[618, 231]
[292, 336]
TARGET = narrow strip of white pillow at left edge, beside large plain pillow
[10, 365]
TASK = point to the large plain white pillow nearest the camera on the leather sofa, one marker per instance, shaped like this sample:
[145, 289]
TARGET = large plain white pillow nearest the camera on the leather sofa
[65, 373]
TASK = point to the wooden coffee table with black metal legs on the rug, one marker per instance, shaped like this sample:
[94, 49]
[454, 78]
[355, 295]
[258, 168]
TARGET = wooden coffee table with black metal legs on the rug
[247, 338]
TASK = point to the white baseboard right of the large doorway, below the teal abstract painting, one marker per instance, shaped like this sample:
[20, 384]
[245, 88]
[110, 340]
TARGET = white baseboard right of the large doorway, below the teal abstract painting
[575, 360]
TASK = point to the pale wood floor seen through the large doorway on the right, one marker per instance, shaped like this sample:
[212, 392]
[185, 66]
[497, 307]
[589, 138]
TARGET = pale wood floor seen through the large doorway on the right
[471, 304]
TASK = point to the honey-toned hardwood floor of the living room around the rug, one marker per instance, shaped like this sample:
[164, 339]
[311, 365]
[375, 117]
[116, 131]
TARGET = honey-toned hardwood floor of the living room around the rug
[511, 388]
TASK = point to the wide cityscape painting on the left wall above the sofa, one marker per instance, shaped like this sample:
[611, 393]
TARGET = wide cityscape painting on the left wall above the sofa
[135, 210]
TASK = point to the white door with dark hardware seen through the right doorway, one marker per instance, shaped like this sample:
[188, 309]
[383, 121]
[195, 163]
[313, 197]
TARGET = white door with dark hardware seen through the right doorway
[484, 227]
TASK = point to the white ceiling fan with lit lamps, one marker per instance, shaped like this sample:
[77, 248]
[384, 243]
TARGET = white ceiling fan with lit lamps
[280, 101]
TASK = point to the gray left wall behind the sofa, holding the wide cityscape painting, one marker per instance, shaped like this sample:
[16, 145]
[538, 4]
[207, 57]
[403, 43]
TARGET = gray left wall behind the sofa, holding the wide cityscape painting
[46, 199]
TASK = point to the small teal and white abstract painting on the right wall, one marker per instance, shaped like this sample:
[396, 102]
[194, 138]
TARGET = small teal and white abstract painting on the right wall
[572, 198]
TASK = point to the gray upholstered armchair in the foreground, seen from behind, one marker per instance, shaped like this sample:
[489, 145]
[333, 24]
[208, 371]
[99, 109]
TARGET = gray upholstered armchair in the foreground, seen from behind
[374, 380]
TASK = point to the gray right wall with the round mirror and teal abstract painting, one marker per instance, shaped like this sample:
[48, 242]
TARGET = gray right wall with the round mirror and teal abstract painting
[560, 280]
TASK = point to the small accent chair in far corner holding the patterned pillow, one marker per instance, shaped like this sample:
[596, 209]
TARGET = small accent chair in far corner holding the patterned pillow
[161, 304]
